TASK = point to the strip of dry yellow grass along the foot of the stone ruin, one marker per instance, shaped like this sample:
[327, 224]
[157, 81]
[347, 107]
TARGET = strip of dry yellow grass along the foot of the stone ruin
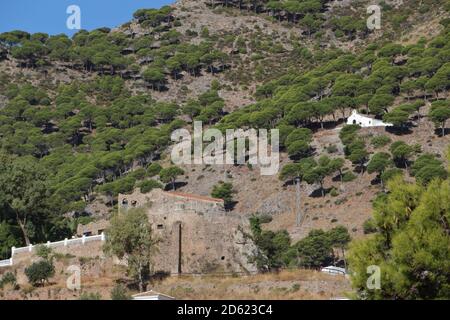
[295, 284]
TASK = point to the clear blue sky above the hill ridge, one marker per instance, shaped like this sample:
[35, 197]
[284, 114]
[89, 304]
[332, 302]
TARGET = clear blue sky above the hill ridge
[50, 15]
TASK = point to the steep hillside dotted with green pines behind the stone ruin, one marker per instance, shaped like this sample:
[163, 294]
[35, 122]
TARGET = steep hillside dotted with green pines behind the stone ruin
[83, 119]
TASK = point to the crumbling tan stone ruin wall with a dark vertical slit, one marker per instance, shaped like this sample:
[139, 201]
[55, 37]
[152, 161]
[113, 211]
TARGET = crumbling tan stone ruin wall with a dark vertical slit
[196, 234]
